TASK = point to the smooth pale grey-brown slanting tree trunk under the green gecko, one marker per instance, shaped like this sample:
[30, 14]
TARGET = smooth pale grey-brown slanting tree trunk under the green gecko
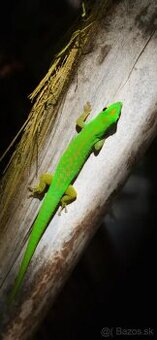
[122, 66]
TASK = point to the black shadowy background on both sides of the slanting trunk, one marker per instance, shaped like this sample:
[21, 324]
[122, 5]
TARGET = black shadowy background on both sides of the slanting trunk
[114, 284]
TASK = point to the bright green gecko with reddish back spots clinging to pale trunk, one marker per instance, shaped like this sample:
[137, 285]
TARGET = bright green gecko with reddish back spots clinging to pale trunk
[61, 191]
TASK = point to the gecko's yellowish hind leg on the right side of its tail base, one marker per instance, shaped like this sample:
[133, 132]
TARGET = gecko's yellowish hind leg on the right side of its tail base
[69, 196]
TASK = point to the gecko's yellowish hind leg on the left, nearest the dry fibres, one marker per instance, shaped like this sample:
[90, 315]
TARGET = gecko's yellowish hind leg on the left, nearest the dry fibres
[44, 182]
